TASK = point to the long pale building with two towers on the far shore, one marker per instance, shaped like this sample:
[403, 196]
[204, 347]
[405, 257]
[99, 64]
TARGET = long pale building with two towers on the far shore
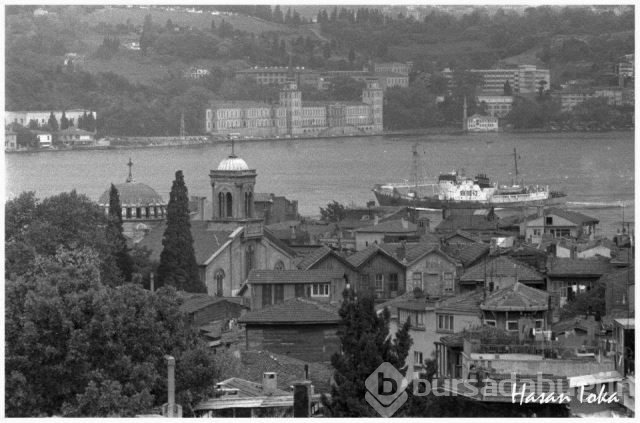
[290, 117]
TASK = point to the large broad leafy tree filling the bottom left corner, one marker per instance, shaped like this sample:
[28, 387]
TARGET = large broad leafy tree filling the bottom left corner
[79, 348]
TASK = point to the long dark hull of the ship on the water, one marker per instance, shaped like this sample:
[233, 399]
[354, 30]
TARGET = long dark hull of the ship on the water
[389, 199]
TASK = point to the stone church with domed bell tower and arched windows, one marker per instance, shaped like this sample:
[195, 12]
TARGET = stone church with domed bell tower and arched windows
[233, 241]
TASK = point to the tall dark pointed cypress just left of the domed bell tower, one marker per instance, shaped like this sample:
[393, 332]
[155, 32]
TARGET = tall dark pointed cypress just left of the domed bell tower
[178, 266]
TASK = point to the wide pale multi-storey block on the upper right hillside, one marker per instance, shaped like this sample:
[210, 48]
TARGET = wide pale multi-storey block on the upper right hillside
[524, 79]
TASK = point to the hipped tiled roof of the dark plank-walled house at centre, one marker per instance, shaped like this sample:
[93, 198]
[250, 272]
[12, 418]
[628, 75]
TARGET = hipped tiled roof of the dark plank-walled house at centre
[292, 312]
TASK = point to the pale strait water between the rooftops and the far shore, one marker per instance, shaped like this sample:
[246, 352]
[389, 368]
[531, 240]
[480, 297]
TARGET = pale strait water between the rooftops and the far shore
[596, 170]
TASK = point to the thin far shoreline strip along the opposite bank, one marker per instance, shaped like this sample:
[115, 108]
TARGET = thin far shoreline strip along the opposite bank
[213, 141]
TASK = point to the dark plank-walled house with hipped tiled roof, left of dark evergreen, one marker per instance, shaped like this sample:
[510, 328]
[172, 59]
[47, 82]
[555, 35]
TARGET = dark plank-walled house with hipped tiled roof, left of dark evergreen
[299, 327]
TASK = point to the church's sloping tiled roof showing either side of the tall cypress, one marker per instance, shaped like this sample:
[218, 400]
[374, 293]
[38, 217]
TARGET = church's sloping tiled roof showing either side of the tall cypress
[205, 242]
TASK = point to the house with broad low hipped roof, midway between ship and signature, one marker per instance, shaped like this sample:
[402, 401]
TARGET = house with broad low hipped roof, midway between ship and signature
[497, 272]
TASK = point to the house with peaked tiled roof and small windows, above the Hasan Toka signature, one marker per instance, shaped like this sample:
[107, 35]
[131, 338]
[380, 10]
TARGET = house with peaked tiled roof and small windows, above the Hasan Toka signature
[510, 307]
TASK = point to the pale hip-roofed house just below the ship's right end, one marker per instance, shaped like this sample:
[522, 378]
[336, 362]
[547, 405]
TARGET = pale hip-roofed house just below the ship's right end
[559, 224]
